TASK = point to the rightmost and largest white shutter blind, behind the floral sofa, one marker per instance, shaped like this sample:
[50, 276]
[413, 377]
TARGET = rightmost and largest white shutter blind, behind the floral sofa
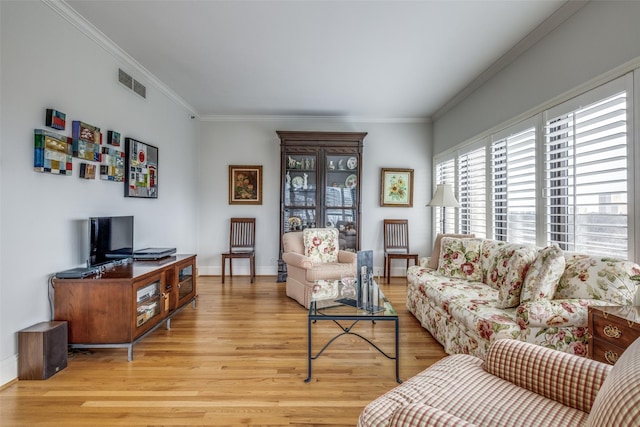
[586, 176]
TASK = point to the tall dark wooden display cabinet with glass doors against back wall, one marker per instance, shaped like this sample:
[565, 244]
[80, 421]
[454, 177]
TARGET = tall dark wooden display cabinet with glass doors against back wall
[320, 185]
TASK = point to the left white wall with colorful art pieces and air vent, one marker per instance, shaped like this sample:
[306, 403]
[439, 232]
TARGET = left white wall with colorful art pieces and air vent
[48, 63]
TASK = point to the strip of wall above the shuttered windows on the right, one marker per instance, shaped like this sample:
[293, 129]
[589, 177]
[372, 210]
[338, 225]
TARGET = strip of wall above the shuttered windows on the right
[600, 37]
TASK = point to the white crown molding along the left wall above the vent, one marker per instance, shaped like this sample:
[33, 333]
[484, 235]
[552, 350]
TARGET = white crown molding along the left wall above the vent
[99, 38]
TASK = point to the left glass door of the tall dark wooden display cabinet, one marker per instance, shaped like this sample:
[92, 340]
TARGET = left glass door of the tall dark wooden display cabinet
[300, 192]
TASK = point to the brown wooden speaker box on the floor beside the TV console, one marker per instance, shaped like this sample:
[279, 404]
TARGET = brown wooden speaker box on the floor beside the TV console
[42, 350]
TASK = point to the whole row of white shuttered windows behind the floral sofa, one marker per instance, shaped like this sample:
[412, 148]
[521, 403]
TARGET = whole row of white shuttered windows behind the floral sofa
[562, 176]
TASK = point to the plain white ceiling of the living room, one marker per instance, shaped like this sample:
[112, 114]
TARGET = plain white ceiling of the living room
[368, 59]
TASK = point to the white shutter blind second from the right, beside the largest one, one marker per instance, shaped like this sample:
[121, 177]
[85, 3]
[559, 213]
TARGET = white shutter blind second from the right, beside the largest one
[513, 167]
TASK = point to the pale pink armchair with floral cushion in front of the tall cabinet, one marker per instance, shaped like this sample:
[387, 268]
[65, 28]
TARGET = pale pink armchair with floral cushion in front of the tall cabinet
[314, 255]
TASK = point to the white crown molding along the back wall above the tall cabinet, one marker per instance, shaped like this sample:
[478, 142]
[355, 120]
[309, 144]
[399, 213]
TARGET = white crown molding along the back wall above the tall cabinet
[345, 119]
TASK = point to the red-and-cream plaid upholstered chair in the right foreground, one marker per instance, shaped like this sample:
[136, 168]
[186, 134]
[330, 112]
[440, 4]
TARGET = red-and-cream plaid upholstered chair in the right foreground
[518, 384]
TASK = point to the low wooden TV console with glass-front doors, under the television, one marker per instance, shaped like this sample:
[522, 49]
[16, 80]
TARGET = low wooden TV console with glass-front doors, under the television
[125, 302]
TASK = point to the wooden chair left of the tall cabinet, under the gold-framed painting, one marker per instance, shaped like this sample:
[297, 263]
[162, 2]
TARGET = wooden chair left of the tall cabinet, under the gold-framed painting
[242, 240]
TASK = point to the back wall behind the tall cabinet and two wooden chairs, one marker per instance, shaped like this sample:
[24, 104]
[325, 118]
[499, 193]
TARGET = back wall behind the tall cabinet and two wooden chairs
[387, 145]
